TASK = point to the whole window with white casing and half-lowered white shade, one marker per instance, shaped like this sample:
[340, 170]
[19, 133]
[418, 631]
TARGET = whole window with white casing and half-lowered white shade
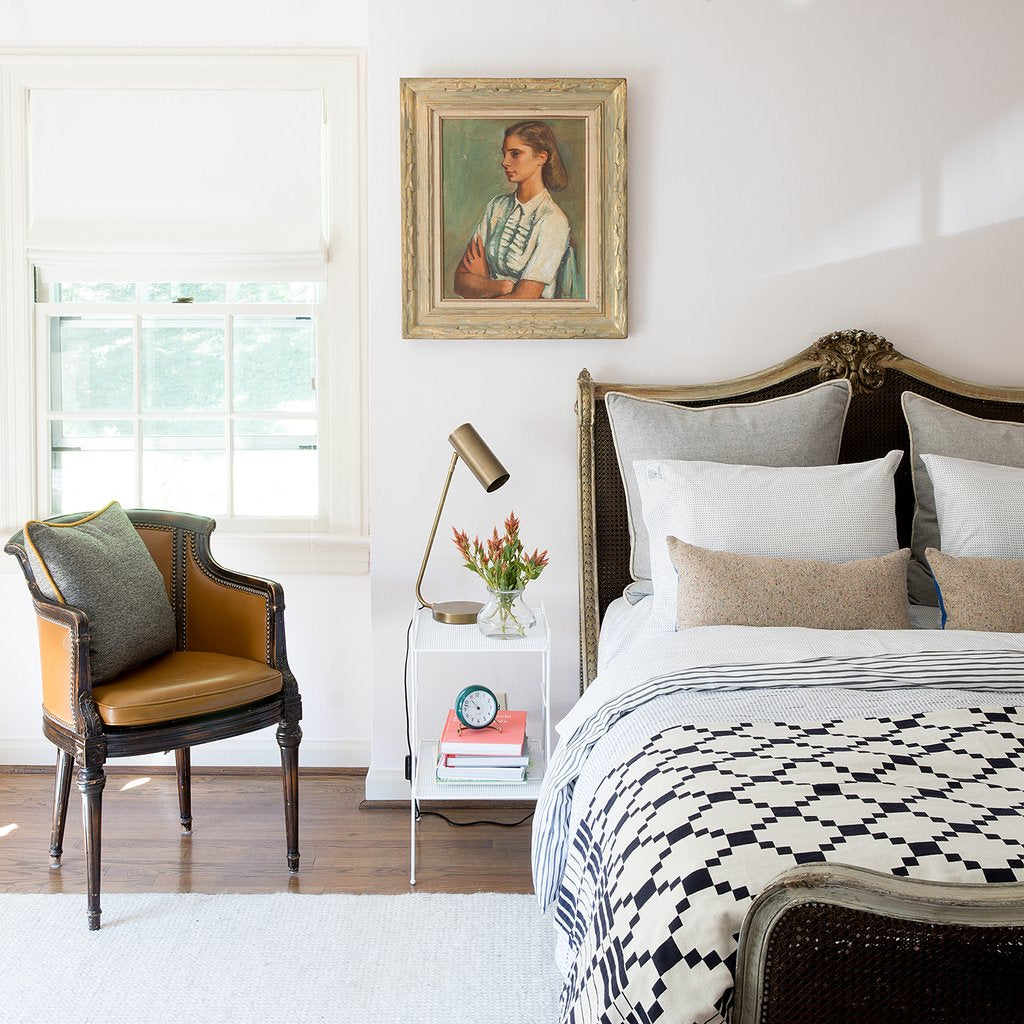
[193, 289]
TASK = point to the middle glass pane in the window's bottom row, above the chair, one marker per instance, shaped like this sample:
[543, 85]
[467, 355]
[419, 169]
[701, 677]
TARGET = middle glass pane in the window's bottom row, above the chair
[185, 466]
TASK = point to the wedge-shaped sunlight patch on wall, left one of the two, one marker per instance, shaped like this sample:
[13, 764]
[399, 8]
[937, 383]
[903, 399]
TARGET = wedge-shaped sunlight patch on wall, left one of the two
[892, 222]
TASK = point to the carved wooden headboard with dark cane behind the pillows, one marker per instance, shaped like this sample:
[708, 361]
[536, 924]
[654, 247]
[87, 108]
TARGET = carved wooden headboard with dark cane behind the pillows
[875, 425]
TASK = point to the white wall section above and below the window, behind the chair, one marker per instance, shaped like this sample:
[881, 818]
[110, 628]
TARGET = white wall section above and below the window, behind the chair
[327, 618]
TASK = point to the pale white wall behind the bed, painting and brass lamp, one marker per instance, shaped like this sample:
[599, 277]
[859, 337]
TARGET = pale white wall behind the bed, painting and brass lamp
[796, 167]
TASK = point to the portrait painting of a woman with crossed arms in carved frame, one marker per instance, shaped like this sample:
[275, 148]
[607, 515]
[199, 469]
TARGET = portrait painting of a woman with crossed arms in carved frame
[514, 210]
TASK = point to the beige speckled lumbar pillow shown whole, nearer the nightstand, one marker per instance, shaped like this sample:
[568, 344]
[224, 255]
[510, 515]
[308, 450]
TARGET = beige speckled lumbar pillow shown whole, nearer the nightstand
[718, 588]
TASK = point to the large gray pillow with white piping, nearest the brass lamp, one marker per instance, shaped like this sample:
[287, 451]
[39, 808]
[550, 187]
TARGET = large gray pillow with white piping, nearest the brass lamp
[801, 430]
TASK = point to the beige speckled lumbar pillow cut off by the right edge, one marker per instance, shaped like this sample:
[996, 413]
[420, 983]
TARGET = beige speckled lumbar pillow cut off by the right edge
[985, 594]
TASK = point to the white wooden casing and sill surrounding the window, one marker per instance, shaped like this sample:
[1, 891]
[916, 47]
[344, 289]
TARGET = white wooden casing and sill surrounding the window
[344, 546]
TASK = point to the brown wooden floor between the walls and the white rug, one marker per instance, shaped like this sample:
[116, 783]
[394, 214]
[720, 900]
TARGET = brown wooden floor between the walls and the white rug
[238, 840]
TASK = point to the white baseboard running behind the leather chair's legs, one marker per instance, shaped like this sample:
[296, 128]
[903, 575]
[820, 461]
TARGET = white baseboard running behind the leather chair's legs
[228, 753]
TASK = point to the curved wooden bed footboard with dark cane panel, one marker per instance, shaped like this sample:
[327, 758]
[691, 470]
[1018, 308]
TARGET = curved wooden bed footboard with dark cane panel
[836, 945]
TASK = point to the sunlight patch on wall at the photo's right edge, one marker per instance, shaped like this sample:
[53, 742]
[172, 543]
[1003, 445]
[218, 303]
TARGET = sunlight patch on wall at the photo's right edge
[983, 181]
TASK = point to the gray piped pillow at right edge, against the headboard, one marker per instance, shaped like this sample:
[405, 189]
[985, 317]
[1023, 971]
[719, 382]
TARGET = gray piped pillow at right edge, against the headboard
[937, 430]
